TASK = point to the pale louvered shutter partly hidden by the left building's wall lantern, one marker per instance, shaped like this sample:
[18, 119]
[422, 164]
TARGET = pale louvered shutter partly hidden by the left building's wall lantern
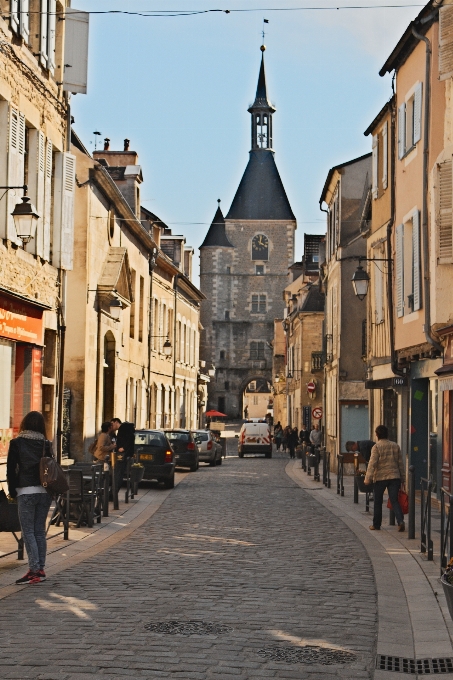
[36, 168]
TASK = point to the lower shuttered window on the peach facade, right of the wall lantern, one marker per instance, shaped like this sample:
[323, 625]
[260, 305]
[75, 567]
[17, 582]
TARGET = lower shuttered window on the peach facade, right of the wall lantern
[408, 275]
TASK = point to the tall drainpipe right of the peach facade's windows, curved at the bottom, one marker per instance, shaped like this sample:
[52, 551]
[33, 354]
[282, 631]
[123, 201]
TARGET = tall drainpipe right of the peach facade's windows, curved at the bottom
[425, 229]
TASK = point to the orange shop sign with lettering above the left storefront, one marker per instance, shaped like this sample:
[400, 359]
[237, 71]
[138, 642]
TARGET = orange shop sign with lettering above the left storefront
[20, 322]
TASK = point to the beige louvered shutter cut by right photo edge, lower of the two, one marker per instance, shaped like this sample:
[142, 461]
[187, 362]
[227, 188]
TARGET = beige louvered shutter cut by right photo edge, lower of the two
[444, 217]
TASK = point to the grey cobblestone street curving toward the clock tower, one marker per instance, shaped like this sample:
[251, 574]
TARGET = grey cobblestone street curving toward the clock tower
[241, 547]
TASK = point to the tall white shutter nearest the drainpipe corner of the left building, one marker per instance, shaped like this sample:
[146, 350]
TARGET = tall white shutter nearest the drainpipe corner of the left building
[63, 230]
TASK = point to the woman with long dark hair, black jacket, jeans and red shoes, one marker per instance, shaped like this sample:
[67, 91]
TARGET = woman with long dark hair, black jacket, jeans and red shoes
[24, 483]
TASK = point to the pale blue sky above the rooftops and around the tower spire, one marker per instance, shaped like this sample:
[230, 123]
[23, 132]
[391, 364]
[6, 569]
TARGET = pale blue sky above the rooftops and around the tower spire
[179, 88]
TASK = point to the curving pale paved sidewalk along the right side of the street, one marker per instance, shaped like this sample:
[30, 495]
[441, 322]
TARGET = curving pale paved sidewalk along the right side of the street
[413, 582]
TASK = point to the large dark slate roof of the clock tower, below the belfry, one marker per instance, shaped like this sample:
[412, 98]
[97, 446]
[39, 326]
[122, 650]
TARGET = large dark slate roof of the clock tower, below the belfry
[261, 195]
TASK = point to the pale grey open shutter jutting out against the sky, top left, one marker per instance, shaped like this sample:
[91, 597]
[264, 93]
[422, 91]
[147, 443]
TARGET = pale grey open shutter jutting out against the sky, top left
[76, 51]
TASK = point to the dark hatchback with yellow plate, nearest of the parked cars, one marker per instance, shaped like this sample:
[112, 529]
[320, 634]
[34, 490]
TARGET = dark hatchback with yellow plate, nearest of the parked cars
[153, 451]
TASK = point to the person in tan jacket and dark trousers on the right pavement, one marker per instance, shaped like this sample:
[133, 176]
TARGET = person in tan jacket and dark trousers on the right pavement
[385, 471]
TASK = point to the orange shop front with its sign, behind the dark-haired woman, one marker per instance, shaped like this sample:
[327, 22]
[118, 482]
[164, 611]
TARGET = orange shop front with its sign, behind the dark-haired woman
[21, 347]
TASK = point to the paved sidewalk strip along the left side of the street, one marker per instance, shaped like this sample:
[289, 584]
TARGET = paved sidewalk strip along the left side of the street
[107, 535]
